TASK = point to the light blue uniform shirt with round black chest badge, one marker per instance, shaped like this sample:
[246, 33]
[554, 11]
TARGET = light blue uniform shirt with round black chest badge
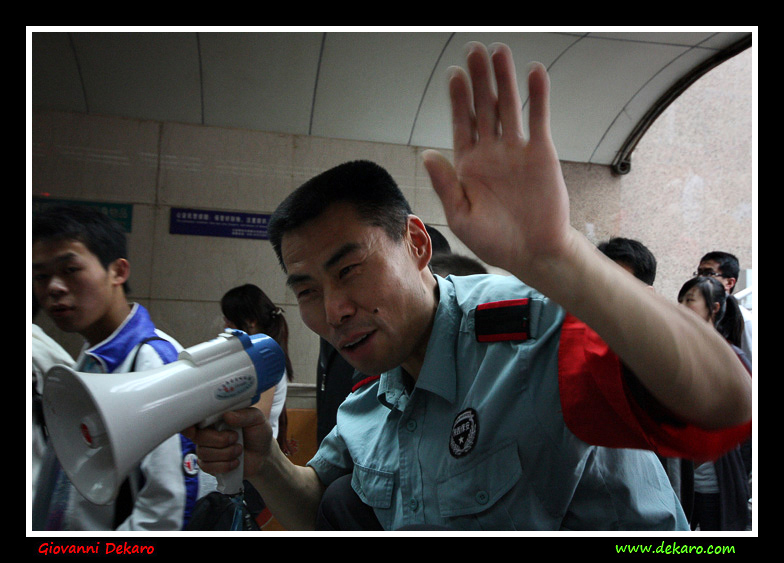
[480, 442]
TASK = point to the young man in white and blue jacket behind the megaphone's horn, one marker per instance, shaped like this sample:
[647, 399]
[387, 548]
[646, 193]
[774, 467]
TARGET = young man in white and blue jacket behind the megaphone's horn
[80, 274]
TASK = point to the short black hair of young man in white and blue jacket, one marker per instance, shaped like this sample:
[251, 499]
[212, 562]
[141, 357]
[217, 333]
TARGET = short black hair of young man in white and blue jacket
[102, 235]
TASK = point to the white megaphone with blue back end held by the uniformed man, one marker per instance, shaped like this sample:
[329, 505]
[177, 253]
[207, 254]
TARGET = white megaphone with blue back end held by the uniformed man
[102, 425]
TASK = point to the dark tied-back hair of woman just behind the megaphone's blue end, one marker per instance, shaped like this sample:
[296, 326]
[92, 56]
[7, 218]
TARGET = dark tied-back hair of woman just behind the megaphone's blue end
[247, 303]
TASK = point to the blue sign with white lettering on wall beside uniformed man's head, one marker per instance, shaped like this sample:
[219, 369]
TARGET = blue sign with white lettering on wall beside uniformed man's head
[231, 224]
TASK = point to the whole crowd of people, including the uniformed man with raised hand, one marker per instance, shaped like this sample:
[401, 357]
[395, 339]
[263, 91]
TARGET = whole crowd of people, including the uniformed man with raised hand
[449, 398]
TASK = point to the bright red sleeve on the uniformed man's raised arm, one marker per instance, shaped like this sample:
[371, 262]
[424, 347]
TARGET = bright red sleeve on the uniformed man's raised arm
[603, 406]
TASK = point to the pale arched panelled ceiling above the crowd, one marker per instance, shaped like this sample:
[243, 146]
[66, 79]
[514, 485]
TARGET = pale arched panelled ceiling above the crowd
[383, 86]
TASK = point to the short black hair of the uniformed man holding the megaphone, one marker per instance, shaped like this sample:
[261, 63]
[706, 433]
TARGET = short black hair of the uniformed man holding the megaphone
[364, 184]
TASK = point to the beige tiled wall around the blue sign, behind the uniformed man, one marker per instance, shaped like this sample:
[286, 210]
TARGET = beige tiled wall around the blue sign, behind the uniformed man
[156, 166]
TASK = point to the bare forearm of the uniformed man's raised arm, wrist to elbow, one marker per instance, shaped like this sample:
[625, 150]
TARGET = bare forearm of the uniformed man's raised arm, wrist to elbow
[682, 360]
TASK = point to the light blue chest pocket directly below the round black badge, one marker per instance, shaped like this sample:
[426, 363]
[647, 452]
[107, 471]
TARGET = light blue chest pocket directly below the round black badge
[479, 486]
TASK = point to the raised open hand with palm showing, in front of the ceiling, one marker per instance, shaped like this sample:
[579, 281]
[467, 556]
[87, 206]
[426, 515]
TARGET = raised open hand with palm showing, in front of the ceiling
[505, 196]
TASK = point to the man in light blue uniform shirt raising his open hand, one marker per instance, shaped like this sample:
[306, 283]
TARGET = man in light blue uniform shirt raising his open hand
[487, 394]
